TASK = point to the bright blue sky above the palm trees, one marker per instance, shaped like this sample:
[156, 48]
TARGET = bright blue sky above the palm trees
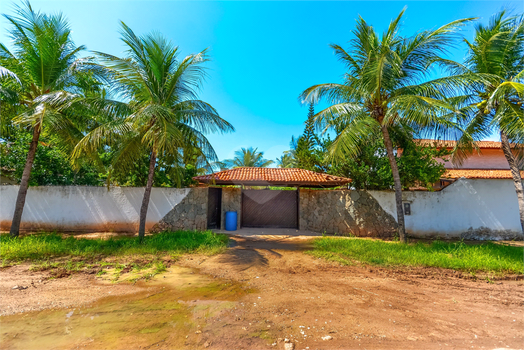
[263, 53]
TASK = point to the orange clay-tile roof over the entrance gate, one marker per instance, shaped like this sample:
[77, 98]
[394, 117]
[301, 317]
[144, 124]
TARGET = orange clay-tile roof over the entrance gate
[272, 176]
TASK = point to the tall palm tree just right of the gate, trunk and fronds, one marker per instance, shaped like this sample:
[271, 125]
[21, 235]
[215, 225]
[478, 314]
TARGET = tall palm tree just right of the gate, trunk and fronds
[384, 90]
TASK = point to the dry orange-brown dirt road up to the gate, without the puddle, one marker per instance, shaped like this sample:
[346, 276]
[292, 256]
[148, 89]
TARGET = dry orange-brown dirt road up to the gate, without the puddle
[316, 304]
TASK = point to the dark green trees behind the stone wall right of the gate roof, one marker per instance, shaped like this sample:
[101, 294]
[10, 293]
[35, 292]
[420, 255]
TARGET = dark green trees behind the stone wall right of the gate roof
[370, 170]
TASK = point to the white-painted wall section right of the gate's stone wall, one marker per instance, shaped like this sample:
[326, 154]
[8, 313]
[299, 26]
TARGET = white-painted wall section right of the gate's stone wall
[468, 208]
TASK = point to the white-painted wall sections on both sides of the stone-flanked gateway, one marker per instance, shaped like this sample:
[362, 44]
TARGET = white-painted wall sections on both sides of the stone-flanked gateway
[482, 208]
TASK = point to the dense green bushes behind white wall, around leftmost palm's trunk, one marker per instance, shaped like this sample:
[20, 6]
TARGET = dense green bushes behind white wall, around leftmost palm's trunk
[51, 165]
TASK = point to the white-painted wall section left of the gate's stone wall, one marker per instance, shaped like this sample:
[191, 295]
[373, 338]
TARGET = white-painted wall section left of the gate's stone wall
[86, 208]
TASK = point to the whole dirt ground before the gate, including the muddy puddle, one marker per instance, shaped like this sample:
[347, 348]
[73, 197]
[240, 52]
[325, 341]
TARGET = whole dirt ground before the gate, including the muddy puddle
[256, 295]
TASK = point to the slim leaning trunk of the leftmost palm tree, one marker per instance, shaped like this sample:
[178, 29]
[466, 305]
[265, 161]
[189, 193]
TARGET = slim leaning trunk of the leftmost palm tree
[24, 183]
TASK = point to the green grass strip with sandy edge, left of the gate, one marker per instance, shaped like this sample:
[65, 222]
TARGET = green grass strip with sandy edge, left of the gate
[112, 257]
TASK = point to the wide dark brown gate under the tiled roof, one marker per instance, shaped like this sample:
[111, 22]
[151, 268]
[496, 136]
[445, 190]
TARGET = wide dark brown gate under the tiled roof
[270, 208]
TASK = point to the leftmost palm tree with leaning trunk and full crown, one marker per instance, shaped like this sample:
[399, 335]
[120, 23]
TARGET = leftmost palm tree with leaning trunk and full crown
[38, 84]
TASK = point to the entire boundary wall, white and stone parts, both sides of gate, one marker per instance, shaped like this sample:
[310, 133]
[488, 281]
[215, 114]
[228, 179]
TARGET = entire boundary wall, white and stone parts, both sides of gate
[472, 209]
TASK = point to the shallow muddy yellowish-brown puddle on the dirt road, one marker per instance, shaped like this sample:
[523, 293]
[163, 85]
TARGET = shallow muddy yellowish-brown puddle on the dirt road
[161, 317]
